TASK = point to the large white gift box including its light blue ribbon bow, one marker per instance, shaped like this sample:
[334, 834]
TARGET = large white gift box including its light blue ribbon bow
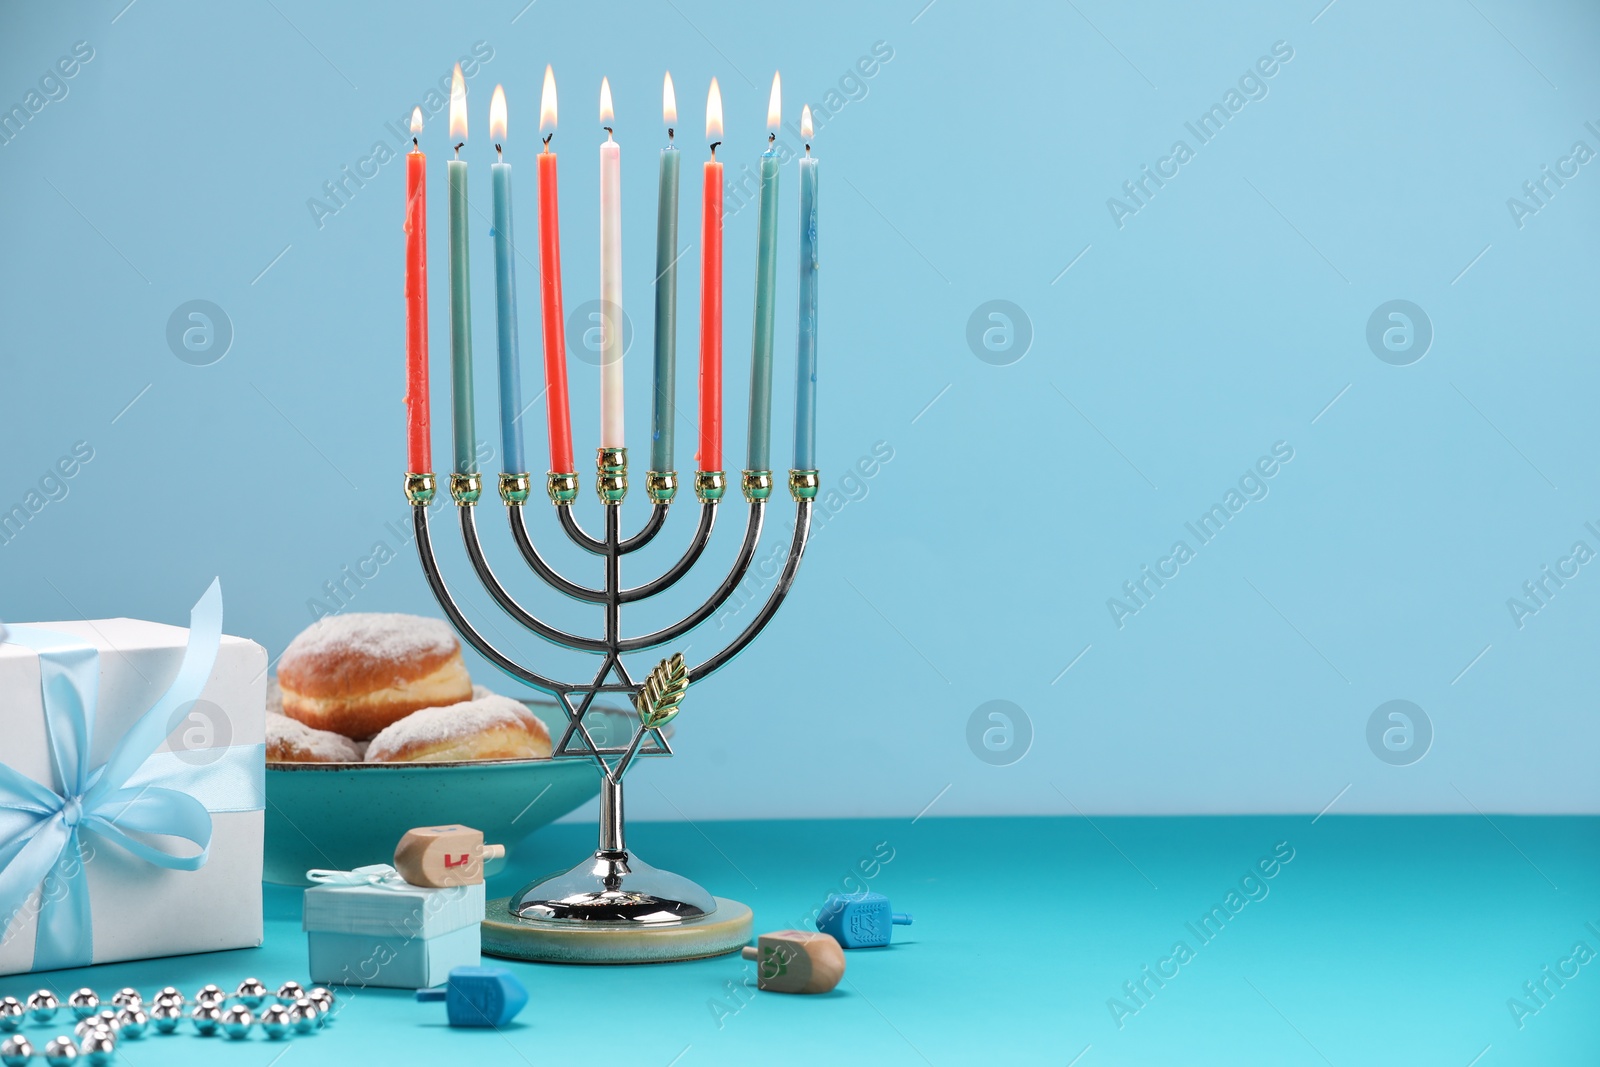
[132, 789]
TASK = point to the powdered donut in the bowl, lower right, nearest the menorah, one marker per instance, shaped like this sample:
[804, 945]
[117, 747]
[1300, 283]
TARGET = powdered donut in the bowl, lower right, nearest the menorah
[489, 729]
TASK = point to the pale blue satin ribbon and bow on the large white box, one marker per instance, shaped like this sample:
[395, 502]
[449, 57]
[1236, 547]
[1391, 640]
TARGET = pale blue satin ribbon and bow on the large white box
[137, 791]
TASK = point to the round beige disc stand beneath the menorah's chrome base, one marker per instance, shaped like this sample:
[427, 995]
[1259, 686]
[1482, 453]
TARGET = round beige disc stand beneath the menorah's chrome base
[726, 929]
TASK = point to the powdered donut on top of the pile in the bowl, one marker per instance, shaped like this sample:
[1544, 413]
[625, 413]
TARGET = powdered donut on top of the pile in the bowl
[356, 674]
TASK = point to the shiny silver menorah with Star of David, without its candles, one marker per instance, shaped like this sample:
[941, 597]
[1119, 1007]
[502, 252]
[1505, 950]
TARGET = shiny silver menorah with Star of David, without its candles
[614, 887]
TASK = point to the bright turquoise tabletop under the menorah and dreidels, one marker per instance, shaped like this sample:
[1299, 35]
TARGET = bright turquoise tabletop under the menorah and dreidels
[1383, 941]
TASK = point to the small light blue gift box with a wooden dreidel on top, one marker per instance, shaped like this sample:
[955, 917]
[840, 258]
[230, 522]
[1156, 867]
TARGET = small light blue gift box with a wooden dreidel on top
[372, 929]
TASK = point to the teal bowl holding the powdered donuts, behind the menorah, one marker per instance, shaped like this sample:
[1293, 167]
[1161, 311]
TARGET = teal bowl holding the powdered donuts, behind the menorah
[342, 817]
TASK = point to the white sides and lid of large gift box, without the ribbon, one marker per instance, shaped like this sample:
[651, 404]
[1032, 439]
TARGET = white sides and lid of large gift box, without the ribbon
[214, 753]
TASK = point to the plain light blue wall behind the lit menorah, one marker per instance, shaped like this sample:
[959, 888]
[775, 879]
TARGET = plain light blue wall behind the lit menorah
[975, 166]
